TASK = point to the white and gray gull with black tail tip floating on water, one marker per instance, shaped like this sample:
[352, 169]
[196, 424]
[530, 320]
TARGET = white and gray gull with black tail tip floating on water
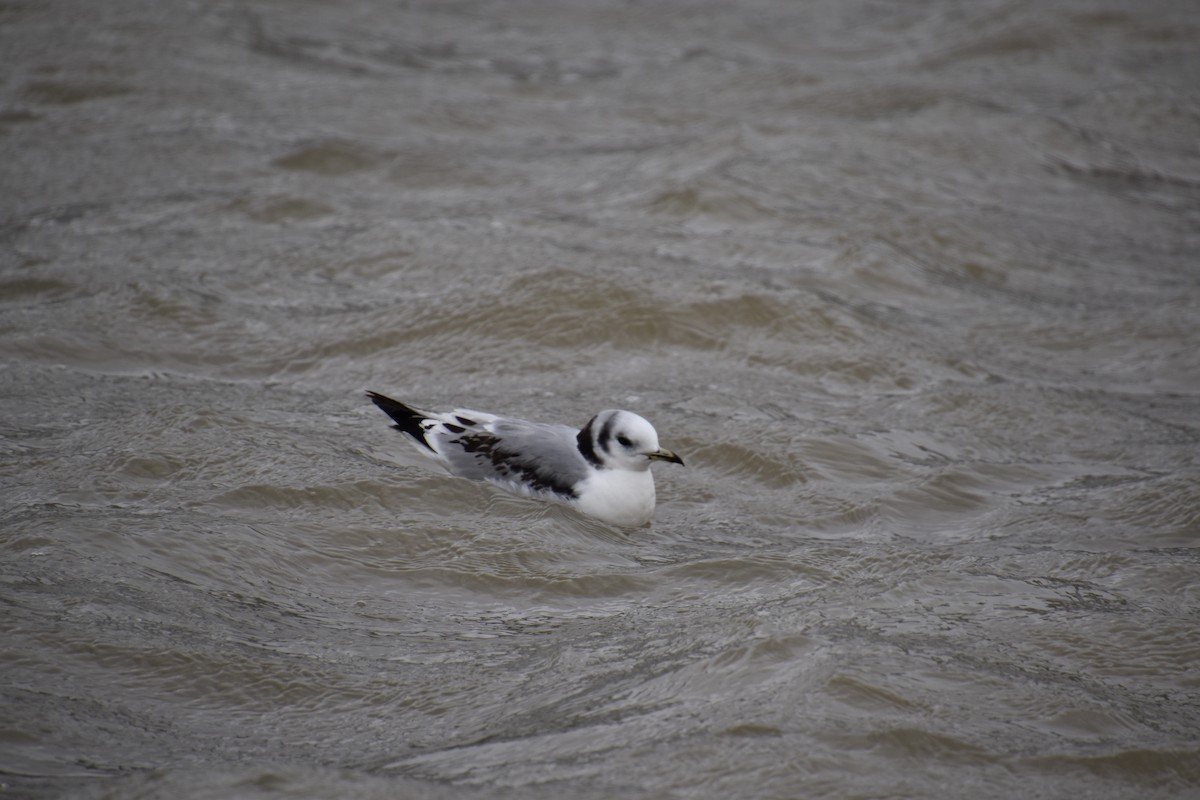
[603, 470]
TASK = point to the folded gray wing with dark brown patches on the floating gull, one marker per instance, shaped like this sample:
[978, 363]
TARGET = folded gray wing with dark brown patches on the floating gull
[527, 456]
